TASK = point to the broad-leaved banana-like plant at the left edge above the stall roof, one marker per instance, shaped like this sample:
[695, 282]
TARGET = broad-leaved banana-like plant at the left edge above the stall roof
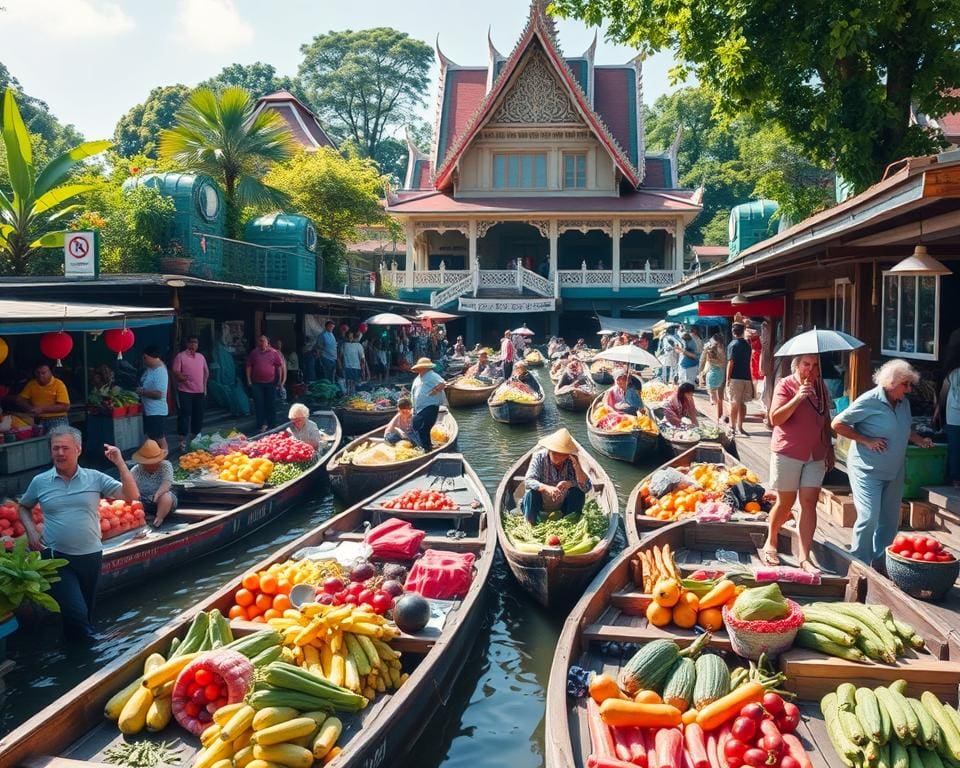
[36, 201]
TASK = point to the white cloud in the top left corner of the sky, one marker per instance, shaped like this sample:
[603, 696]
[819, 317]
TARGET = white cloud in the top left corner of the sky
[71, 19]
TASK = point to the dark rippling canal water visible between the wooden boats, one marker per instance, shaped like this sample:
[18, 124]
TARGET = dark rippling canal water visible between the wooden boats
[494, 715]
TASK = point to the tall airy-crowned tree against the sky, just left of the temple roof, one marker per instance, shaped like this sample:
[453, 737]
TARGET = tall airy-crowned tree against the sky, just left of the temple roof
[365, 83]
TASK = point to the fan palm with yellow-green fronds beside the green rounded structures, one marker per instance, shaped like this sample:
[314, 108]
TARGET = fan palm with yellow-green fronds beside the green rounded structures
[217, 134]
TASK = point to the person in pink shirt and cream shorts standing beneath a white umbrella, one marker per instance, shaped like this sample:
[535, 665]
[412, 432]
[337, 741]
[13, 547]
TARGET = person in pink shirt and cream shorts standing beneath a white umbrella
[801, 453]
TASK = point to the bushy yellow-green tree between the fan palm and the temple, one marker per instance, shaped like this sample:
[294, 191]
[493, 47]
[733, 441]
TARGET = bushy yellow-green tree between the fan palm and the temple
[340, 194]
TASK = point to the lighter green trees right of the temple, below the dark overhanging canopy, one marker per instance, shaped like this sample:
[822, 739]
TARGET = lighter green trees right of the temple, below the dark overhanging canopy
[736, 161]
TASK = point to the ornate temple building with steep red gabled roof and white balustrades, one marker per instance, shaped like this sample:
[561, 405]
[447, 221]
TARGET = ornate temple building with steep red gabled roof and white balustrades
[537, 199]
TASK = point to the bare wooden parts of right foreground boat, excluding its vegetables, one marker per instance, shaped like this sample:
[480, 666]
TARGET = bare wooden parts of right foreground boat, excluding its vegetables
[612, 611]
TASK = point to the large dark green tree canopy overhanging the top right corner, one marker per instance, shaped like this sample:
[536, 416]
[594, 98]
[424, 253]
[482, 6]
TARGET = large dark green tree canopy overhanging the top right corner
[839, 76]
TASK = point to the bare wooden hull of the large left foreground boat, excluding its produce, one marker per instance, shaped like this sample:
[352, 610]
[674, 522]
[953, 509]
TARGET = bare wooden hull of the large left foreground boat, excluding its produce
[73, 731]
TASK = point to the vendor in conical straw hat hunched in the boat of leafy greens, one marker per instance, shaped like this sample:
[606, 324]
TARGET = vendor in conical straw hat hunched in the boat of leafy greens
[555, 479]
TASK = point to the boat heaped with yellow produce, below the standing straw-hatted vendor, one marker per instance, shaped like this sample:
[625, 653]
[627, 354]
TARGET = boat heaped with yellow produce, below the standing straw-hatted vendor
[368, 463]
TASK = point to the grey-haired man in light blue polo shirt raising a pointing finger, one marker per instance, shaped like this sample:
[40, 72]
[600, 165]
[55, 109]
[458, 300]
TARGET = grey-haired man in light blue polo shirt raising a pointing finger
[70, 497]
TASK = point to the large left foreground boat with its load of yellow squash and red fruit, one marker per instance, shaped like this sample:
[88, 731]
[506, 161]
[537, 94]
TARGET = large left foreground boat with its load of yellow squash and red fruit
[332, 650]
